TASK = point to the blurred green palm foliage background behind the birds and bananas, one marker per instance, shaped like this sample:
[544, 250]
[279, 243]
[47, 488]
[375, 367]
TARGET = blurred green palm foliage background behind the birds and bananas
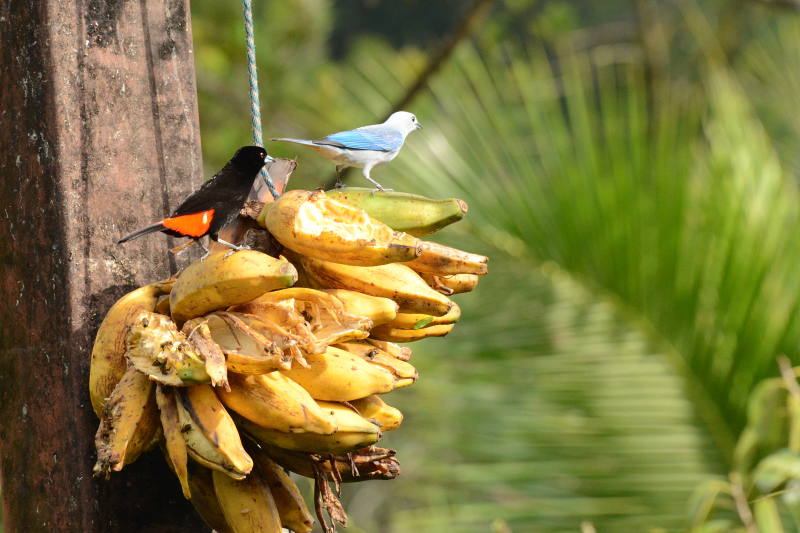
[631, 170]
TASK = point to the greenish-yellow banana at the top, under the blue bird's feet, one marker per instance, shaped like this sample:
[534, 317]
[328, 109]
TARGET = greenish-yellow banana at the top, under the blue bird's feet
[413, 214]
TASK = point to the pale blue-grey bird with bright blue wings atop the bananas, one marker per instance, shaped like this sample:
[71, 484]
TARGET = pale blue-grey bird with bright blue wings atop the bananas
[367, 147]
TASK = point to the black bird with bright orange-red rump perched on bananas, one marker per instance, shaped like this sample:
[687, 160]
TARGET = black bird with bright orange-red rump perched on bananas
[215, 204]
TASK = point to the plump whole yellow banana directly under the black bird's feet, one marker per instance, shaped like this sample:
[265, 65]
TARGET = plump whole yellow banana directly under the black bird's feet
[219, 282]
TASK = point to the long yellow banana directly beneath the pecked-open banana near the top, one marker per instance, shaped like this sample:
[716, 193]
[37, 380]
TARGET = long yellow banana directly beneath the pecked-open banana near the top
[395, 281]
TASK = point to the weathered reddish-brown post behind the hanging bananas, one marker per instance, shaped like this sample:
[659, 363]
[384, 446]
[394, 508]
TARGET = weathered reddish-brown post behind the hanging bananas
[99, 134]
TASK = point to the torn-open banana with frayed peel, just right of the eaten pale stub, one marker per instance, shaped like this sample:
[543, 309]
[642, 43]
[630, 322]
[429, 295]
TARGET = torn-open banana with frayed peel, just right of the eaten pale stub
[245, 351]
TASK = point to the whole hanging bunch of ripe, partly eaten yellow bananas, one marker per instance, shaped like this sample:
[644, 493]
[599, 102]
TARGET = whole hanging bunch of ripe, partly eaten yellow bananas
[251, 364]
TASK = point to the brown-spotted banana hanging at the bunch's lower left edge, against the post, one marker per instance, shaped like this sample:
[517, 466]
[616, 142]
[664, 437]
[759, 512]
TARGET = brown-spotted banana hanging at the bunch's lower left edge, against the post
[128, 423]
